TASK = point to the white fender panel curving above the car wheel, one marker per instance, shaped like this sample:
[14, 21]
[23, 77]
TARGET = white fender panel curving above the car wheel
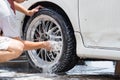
[67, 7]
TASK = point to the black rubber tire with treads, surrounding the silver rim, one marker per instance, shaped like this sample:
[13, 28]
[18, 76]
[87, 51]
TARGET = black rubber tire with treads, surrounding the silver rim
[68, 58]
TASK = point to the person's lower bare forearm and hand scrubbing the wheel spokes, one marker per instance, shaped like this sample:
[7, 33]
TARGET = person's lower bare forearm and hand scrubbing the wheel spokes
[29, 45]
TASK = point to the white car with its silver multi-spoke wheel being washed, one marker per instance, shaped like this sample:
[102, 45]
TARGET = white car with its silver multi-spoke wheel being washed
[82, 28]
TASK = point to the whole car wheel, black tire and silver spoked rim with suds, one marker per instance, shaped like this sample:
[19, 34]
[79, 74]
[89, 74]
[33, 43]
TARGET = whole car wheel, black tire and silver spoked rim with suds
[55, 62]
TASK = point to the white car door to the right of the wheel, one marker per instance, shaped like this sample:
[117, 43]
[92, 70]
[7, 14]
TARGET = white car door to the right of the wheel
[100, 23]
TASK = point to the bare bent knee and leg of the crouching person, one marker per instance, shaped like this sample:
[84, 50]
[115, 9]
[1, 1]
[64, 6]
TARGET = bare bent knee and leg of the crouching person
[14, 50]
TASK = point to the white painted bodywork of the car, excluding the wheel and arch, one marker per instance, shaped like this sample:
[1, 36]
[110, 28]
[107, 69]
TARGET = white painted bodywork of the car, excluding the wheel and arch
[96, 25]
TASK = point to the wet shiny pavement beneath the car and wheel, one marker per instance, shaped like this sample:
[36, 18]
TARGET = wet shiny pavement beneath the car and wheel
[92, 70]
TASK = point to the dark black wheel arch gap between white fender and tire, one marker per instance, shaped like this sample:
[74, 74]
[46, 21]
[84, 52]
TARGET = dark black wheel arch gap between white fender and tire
[49, 5]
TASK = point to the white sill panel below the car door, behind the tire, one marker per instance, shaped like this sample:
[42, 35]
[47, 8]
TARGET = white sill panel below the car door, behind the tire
[95, 53]
